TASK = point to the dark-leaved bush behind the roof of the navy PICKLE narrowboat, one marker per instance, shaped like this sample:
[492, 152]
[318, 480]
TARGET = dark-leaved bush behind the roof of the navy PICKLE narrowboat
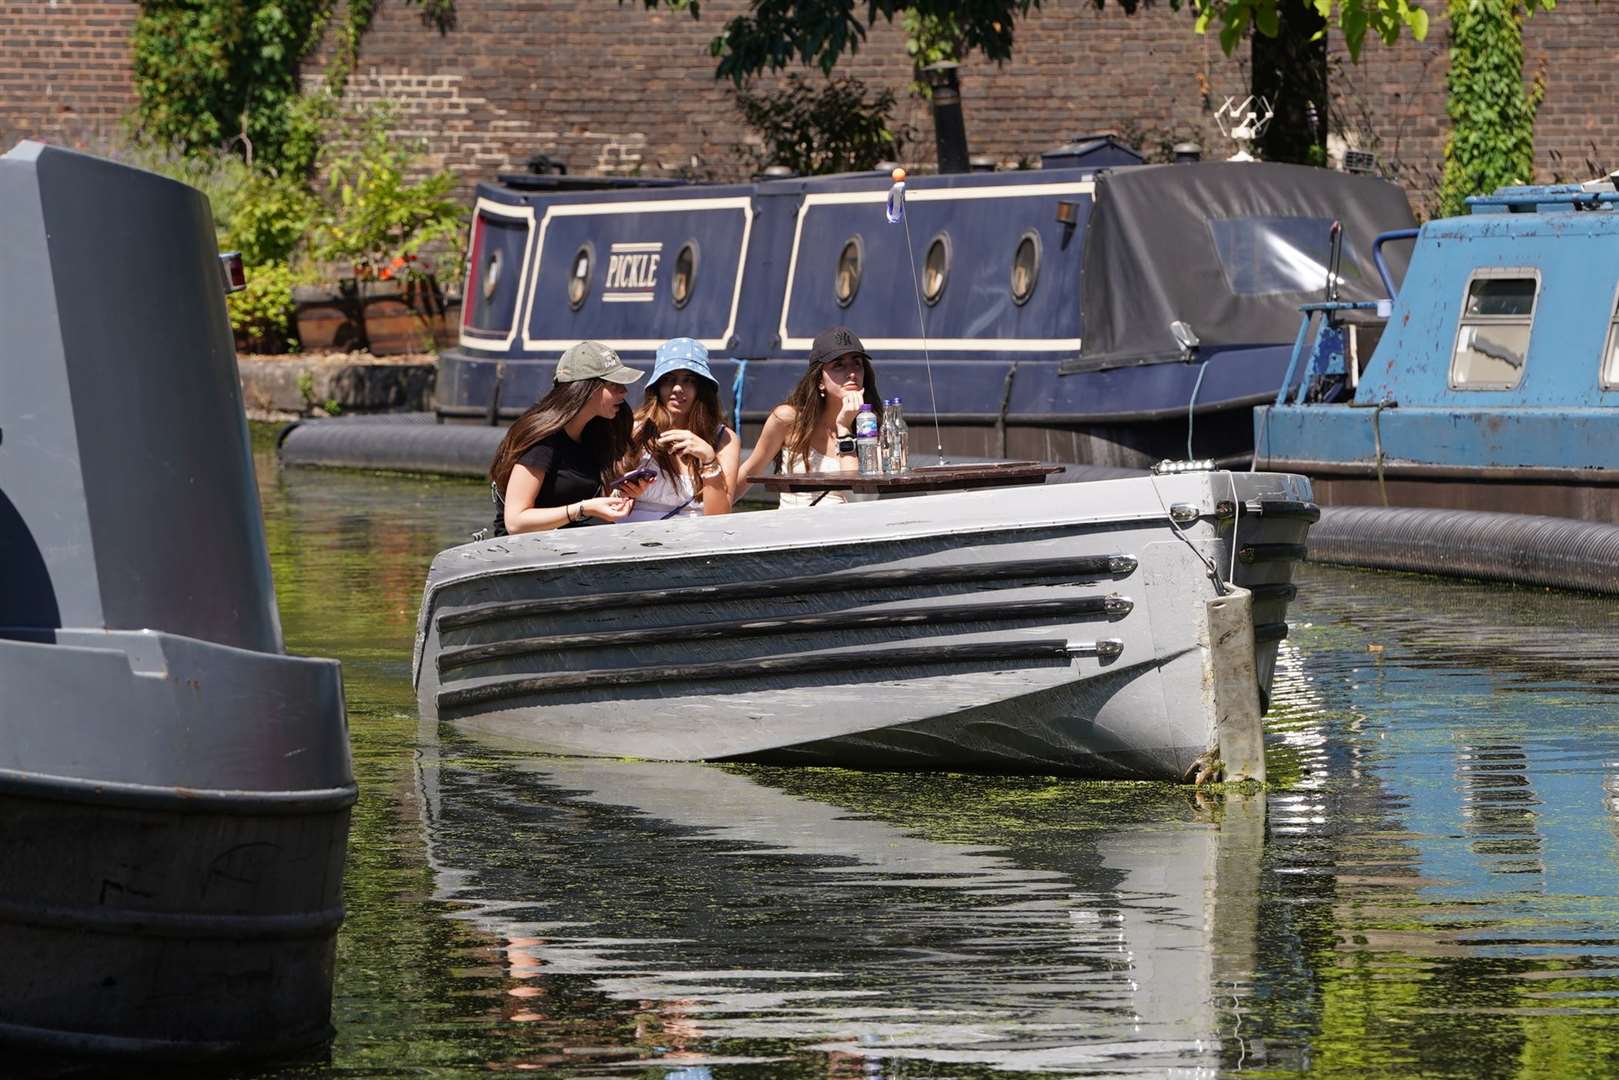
[826, 130]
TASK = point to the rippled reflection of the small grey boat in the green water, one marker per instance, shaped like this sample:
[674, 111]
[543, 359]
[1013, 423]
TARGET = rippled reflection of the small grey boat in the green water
[860, 916]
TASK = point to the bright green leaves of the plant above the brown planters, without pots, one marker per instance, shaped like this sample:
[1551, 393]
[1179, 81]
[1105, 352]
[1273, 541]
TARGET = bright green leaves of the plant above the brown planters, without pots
[378, 219]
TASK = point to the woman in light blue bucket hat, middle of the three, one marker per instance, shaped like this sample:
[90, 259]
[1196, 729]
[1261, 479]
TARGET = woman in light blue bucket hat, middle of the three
[681, 428]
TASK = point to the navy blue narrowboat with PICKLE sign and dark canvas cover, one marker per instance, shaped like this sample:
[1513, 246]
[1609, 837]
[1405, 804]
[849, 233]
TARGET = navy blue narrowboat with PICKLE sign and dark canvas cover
[1040, 304]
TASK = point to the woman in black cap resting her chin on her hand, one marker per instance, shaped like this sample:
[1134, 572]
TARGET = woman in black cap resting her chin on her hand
[814, 432]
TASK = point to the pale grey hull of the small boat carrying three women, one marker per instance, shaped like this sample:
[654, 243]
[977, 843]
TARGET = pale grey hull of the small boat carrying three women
[1060, 631]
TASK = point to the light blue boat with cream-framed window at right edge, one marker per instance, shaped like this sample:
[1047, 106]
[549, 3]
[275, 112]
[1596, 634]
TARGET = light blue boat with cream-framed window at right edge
[1495, 385]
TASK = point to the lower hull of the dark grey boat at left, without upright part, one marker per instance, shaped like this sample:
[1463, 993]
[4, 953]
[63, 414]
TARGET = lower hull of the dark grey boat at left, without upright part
[176, 899]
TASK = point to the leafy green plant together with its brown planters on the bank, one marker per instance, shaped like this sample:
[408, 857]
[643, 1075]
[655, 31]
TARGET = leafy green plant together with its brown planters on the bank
[393, 232]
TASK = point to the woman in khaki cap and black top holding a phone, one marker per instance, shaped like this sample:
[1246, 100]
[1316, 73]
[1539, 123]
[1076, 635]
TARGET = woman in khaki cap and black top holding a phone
[566, 449]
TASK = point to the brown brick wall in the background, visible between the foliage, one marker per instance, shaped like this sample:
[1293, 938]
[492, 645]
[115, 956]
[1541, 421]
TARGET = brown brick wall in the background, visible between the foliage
[619, 90]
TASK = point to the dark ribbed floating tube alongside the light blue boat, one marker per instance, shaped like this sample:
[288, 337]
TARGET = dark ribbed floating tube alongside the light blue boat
[1519, 548]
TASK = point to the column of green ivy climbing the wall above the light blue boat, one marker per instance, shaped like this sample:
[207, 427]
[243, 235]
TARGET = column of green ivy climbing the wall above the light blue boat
[1492, 114]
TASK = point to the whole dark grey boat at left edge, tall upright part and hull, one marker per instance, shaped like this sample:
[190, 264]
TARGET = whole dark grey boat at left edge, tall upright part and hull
[174, 786]
